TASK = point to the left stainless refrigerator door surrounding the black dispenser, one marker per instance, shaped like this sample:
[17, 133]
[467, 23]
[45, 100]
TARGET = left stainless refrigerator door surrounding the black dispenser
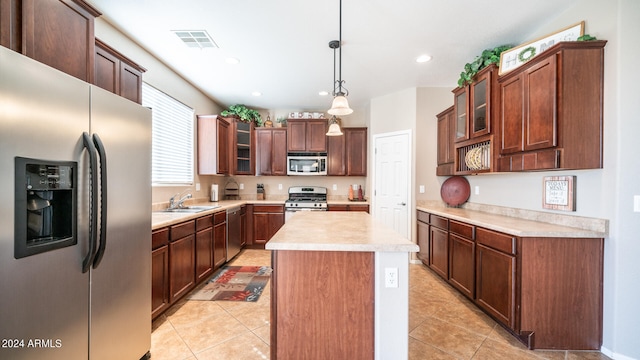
[43, 297]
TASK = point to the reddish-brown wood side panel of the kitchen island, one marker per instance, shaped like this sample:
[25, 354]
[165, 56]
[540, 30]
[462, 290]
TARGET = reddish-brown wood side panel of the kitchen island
[322, 305]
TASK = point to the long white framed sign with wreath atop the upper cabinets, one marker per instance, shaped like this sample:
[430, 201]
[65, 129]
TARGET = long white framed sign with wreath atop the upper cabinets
[511, 59]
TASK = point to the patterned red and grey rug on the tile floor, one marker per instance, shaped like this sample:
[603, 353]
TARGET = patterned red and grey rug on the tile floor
[235, 283]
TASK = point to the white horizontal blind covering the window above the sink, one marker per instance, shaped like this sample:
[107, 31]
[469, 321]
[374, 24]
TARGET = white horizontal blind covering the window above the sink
[172, 138]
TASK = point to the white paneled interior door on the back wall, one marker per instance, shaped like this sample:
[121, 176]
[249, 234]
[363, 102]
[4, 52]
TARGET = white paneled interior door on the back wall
[392, 180]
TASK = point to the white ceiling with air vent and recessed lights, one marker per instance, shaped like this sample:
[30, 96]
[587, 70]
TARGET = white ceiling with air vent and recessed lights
[282, 45]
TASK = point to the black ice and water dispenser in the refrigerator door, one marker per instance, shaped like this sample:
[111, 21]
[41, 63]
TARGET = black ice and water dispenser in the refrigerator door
[45, 205]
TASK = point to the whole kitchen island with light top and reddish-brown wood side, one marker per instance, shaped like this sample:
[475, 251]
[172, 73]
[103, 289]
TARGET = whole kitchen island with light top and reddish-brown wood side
[329, 297]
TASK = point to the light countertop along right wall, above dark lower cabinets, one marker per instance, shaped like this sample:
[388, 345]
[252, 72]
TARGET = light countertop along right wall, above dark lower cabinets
[575, 227]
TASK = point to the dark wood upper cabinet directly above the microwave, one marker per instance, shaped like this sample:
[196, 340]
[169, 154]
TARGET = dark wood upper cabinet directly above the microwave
[306, 135]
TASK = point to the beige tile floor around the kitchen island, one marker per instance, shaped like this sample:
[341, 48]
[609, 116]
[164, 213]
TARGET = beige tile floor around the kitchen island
[442, 325]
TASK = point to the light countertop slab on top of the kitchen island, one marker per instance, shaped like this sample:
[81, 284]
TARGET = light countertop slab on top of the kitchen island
[338, 231]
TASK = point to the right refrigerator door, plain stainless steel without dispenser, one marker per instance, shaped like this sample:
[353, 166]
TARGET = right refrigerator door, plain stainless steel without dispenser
[121, 283]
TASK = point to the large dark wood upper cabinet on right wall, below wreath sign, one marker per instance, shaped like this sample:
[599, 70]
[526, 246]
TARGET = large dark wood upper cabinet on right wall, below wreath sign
[551, 113]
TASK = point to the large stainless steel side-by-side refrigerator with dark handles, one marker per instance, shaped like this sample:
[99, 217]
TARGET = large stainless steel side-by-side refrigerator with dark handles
[75, 217]
